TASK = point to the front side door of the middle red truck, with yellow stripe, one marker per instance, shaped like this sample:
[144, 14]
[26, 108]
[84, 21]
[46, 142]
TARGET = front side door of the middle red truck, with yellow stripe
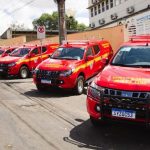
[89, 59]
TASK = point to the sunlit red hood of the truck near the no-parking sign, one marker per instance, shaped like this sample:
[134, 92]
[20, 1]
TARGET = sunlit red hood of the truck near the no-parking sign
[9, 59]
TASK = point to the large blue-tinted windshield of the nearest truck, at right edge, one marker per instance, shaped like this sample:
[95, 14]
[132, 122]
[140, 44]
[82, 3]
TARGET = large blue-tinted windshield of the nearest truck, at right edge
[138, 56]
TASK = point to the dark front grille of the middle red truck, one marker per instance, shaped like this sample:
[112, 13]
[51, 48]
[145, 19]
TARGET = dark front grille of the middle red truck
[49, 75]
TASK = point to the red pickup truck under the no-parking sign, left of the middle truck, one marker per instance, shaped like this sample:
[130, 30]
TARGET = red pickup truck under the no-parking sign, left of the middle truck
[24, 59]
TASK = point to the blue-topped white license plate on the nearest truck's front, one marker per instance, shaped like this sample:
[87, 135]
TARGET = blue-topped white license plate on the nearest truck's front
[121, 113]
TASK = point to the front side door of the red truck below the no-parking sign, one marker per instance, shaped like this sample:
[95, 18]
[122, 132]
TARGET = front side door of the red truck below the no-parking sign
[35, 57]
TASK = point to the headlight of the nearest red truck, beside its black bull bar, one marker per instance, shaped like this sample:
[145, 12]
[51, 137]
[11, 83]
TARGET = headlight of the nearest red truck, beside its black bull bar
[95, 91]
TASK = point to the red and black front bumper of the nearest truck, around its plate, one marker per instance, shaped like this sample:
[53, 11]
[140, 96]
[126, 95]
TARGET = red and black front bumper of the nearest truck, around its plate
[107, 103]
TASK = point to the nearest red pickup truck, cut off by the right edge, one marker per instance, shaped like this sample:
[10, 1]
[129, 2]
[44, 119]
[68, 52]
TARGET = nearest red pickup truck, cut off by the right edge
[121, 92]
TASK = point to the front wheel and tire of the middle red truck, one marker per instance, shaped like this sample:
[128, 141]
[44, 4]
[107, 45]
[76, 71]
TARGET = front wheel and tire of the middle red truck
[79, 85]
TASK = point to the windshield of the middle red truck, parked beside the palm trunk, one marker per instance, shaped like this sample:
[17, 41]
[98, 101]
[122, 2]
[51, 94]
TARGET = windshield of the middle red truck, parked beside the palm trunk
[68, 53]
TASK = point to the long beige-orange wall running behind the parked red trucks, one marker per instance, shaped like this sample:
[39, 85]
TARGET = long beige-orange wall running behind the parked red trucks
[115, 35]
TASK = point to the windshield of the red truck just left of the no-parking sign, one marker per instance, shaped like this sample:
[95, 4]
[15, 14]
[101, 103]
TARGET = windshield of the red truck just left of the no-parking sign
[20, 52]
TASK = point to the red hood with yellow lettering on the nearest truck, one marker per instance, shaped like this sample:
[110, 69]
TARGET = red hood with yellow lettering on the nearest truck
[125, 78]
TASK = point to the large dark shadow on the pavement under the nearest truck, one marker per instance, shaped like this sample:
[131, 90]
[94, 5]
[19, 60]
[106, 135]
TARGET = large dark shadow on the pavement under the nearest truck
[109, 137]
